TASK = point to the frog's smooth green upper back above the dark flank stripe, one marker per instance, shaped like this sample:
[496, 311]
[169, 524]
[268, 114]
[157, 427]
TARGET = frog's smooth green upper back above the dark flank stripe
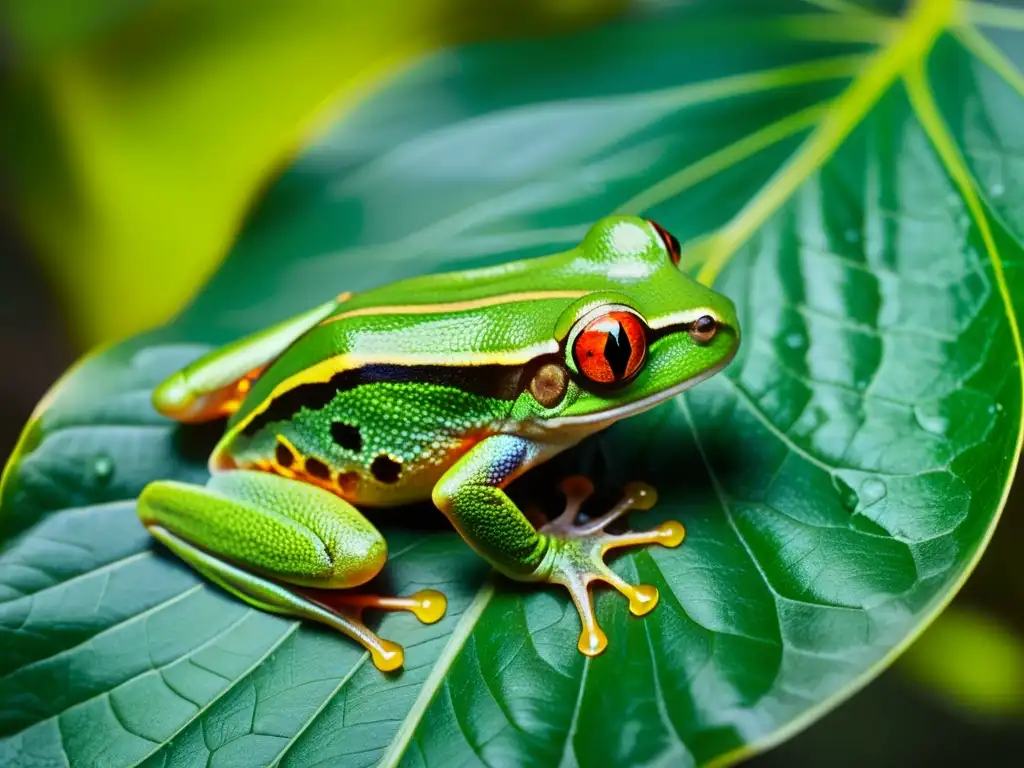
[449, 321]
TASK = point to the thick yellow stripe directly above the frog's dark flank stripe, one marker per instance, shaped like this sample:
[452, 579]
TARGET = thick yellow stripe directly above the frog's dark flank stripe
[324, 371]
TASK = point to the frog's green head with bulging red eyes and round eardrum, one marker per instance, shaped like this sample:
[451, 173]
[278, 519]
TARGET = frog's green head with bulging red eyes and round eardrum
[647, 334]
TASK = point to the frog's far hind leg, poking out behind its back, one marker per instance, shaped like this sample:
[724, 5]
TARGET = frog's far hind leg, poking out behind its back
[215, 386]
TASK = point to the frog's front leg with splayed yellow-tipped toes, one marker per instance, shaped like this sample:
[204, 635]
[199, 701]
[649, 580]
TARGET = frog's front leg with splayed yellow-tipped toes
[472, 495]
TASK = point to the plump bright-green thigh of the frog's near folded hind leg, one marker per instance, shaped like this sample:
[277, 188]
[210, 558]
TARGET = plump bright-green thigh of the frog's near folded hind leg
[289, 531]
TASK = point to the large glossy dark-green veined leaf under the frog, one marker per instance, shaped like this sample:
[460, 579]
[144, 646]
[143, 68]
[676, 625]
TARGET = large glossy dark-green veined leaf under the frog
[851, 181]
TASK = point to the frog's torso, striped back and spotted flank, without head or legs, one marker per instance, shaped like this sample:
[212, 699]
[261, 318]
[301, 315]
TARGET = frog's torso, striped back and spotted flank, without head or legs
[382, 397]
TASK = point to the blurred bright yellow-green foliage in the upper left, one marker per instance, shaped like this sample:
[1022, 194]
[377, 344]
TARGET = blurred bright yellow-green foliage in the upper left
[138, 132]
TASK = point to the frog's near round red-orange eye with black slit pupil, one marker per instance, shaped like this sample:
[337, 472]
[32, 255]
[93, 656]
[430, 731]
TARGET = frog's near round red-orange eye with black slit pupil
[611, 349]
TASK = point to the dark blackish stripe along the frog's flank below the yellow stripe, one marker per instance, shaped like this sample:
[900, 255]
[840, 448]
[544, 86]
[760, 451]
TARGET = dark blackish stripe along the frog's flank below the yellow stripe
[497, 382]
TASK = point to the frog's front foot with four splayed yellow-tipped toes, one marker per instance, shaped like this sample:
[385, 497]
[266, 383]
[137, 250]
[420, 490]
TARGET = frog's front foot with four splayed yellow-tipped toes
[576, 557]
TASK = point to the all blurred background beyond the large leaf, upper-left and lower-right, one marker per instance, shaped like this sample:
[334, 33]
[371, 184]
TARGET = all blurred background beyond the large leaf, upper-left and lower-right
[135, 135]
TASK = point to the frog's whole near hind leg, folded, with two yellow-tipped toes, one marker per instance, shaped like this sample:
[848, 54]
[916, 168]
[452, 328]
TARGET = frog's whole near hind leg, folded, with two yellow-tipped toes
[273, 541]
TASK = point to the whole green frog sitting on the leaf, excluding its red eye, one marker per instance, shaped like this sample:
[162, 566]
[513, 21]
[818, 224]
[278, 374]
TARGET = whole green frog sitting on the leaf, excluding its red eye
[432, 388]
